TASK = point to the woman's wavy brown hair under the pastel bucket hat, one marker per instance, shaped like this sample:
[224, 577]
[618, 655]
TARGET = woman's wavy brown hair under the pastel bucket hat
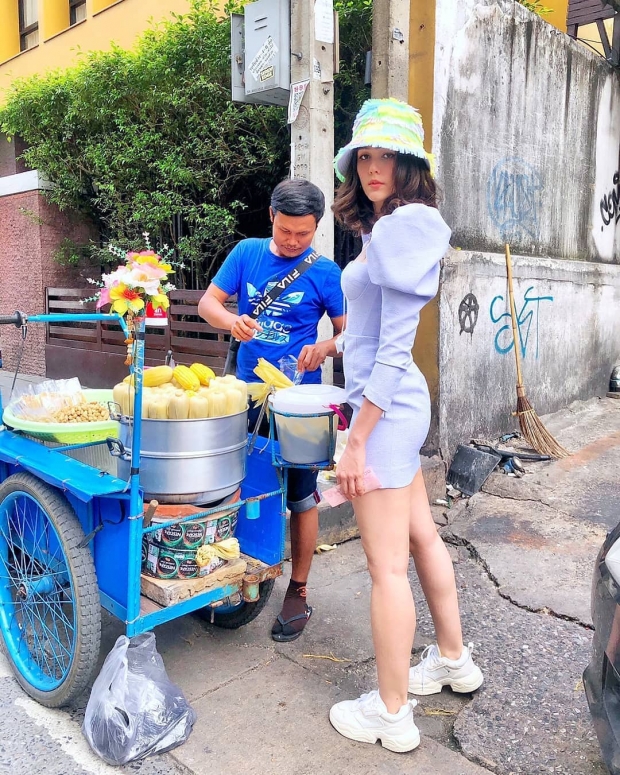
[413, 183]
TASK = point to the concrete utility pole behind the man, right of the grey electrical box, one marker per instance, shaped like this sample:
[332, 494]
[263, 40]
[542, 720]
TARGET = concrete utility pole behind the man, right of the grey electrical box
[312, 132]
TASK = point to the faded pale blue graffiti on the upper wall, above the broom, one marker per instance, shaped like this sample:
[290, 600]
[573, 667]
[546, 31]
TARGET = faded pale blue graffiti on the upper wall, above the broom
[513, 197]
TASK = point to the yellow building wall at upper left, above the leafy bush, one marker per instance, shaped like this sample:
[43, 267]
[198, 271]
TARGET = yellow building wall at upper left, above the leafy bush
[120, 21]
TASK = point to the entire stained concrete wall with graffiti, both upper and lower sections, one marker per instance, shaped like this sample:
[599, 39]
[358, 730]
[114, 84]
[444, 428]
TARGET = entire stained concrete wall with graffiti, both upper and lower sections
[526, 127]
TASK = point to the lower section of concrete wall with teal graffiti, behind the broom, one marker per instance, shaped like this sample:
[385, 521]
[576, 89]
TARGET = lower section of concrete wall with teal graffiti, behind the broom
[568, 330]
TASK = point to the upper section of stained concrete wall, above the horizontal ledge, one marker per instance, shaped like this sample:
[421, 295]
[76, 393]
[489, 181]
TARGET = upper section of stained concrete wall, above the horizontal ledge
[520, 114]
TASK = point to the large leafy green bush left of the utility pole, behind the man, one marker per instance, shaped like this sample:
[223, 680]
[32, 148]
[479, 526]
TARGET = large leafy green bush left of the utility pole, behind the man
[148, 139]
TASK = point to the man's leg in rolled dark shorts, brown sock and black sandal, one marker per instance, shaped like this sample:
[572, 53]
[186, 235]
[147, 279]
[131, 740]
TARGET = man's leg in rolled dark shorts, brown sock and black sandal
[302, 502]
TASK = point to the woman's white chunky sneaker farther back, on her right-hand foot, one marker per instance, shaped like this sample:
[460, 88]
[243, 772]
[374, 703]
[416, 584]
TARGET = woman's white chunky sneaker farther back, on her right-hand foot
[434, 672]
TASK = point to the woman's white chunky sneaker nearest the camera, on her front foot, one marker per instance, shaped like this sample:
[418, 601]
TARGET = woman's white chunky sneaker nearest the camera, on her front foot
[367, 720]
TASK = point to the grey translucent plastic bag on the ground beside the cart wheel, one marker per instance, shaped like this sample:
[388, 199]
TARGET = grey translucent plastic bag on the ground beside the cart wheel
[134, 709]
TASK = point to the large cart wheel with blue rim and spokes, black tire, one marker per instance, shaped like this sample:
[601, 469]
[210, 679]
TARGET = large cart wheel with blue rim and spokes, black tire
[50, 619]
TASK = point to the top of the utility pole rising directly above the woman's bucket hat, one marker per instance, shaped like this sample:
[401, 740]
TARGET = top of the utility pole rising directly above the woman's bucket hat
[390, 49]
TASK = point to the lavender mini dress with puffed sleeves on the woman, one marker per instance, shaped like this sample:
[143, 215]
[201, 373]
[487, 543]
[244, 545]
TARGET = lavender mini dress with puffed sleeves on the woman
[385, 294]
